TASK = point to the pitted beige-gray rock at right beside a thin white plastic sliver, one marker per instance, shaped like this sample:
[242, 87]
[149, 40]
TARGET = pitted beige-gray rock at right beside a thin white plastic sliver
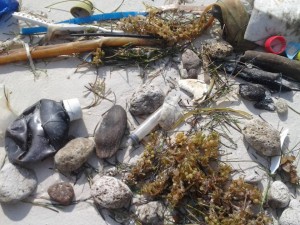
[262, 137]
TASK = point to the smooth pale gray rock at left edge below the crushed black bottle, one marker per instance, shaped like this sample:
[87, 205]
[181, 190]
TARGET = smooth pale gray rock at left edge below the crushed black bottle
[16, 183]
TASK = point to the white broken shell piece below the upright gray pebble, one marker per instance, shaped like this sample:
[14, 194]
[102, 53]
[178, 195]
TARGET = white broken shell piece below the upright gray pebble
[194, 87]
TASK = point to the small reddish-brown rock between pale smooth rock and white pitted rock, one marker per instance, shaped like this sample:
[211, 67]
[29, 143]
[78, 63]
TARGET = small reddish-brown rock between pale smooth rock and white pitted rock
[62, 193]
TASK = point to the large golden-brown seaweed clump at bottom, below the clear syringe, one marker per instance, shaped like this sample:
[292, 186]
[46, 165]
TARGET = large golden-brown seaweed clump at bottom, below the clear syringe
[187, 174]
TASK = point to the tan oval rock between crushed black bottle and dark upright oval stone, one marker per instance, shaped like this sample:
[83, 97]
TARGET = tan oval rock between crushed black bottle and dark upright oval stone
[74, 154]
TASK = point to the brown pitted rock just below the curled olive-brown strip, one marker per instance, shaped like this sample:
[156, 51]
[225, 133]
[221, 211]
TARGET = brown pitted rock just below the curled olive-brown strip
[216, 49]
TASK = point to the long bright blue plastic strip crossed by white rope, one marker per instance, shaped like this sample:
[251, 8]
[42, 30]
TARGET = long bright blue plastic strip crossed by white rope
[85, 20]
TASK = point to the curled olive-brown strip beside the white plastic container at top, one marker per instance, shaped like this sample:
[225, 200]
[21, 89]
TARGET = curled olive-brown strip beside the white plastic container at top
[234, 19]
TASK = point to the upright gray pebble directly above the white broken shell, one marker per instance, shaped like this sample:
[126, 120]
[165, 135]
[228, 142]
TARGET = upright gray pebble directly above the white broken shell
[191, 63]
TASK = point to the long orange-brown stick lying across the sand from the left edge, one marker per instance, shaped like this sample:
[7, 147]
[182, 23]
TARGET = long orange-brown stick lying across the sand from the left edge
[49, 51]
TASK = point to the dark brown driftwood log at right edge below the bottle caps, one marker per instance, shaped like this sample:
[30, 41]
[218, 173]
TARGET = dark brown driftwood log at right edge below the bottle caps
[273, 63]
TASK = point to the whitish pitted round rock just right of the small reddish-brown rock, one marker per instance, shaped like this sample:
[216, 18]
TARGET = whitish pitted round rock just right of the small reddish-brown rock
[109, 192]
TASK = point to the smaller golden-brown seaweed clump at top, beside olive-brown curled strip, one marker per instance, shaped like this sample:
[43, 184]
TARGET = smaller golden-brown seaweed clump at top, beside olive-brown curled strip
[173, 26]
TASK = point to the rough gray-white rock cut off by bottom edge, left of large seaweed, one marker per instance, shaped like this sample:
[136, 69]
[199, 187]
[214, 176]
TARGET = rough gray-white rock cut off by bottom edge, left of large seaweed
[151, 213]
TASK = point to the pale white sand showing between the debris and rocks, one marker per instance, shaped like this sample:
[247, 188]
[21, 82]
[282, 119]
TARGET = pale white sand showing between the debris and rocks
[61, 82]
